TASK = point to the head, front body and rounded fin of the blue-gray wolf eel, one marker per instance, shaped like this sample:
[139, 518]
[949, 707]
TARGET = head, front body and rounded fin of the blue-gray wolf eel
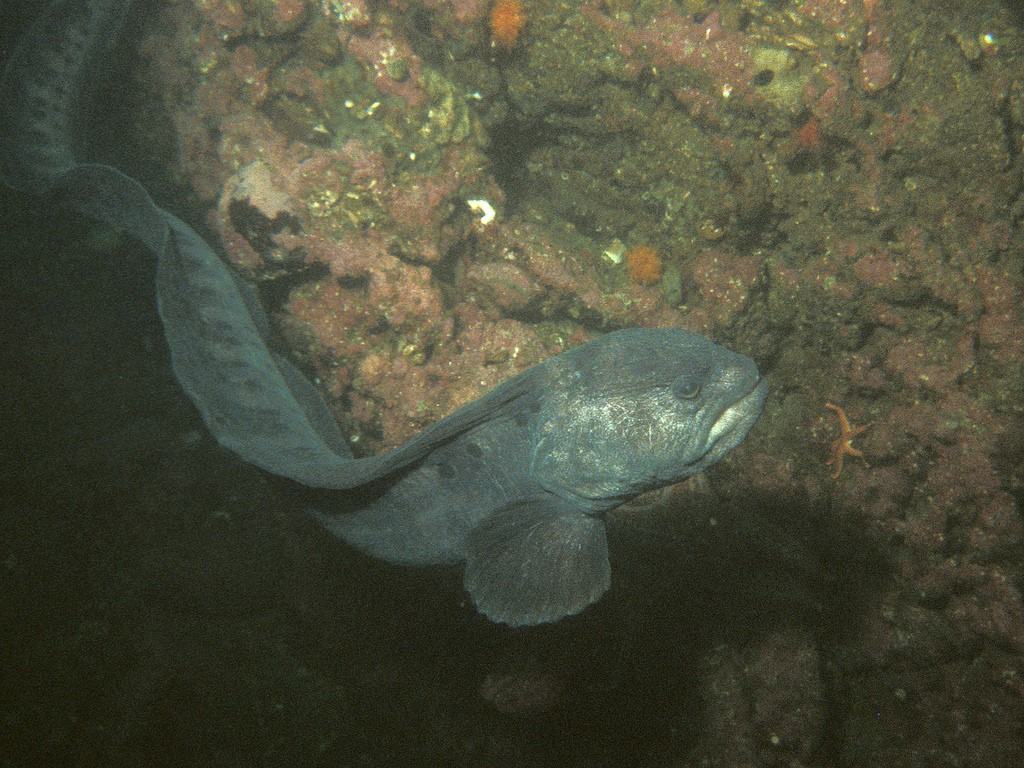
[521, 496]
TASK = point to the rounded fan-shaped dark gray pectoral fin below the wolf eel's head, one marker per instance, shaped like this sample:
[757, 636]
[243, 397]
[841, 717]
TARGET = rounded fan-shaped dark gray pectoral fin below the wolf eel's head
[536, 562]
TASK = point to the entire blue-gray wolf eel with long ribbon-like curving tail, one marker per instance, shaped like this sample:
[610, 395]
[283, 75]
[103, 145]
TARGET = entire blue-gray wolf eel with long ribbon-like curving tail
[515, 485]
